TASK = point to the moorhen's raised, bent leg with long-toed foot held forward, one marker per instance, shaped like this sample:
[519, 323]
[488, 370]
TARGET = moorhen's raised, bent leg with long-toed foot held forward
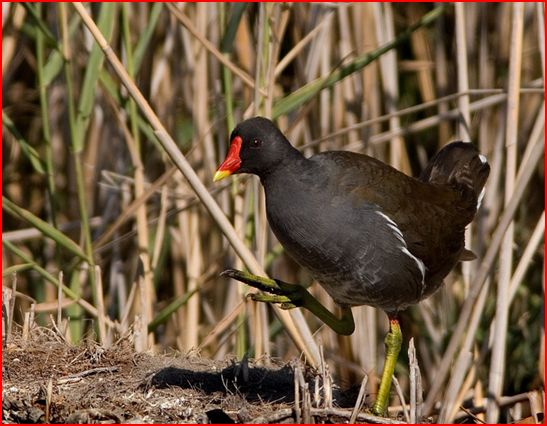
[292, 296]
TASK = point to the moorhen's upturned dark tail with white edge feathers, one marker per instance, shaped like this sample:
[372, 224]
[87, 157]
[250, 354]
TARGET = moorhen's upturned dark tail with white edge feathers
[460, 166]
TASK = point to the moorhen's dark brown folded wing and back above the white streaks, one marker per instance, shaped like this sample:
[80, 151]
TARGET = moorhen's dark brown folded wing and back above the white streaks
[429, 216]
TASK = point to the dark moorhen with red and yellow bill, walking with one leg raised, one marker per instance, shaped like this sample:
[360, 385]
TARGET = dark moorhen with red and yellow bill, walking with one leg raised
[369, 234]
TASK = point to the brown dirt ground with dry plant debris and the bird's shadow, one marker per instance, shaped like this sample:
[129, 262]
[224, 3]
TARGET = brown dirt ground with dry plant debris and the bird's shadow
[46, 380]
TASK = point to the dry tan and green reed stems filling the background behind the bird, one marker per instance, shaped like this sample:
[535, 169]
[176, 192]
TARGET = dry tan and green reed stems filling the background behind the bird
[115, 117]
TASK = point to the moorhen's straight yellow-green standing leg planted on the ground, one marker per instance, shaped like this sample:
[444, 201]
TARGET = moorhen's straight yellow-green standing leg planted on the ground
[393, 341]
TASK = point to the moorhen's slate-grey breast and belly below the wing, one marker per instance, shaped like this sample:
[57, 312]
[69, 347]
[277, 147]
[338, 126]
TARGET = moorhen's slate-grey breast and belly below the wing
[353, 250]
